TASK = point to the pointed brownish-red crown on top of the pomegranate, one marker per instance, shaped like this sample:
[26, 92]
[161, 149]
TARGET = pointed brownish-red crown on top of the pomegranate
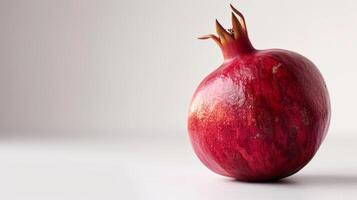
[233, 42]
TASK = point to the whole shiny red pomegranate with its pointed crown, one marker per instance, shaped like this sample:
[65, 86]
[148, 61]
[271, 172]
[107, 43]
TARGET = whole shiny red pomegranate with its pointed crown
[262, 115]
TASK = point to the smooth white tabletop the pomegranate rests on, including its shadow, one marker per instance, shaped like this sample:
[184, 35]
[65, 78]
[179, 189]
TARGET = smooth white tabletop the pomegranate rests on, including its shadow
[154, 168]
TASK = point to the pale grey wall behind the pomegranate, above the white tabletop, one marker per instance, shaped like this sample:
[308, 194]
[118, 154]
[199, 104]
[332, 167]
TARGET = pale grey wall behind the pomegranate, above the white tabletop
[126, 68]
